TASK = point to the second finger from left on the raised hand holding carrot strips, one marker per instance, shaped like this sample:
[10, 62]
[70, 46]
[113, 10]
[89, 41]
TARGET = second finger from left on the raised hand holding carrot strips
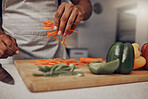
[65, 18]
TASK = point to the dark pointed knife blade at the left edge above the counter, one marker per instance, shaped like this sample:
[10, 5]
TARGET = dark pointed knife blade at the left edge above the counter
[5, 76]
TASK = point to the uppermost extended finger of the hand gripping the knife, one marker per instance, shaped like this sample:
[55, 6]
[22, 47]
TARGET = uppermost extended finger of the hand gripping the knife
[10, 45]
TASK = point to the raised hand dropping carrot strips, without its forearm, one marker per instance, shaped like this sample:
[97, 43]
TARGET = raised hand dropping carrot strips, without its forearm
[67, 18]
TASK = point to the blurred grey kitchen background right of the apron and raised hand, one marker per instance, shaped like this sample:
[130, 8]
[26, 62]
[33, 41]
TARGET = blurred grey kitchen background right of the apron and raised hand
[111, 21]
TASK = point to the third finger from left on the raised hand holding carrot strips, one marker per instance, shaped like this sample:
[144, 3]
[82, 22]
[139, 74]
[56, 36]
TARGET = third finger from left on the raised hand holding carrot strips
[70, 21]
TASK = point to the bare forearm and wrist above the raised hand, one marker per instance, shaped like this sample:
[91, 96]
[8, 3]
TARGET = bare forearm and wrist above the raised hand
[85, 6]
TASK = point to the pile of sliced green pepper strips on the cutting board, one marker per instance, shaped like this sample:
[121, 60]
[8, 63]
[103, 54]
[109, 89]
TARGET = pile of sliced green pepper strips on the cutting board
[59, 69]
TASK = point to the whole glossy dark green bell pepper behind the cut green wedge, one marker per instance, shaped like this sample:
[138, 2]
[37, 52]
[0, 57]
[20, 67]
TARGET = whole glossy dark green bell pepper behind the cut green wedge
[125, 53]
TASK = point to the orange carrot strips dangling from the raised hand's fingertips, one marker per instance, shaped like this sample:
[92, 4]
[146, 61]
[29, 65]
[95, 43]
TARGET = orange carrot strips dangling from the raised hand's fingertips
[50, 25]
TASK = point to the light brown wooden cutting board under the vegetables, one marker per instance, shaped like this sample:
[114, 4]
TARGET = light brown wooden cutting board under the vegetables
[38, 84]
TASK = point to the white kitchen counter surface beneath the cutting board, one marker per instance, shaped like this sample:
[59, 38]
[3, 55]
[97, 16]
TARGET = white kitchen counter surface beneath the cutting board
[20, 91]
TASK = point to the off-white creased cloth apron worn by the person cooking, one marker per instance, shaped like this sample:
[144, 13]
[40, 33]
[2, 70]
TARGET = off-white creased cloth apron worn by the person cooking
[23, 19]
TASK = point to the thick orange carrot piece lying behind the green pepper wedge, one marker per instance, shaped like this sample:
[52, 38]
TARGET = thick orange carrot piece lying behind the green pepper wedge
[89, 60]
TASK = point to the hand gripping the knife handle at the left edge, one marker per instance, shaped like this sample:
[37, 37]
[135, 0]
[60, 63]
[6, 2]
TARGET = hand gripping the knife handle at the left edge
[8, 46]
